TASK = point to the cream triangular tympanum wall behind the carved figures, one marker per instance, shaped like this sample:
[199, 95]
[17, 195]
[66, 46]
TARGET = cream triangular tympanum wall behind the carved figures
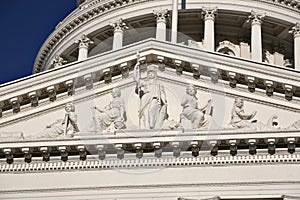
[215, 101]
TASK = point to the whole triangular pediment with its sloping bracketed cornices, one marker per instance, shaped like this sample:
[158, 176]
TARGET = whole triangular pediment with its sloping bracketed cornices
[218, 80]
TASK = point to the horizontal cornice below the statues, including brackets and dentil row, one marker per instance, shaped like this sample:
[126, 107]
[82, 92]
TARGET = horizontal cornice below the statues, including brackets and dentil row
[161, 148]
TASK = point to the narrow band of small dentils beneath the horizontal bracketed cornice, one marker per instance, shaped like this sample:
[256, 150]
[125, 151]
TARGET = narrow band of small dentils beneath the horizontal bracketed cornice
[149, 163]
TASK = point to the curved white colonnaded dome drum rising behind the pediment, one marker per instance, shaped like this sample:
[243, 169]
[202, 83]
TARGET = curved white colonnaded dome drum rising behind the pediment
[227, 29]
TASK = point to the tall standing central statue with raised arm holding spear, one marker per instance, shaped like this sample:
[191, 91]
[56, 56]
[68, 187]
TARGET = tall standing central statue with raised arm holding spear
[152, 99]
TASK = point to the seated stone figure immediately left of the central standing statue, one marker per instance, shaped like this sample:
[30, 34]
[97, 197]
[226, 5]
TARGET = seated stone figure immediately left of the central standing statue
[114, 114]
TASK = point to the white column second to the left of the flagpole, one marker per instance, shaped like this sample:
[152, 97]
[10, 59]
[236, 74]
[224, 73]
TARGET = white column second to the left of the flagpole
[119, 27]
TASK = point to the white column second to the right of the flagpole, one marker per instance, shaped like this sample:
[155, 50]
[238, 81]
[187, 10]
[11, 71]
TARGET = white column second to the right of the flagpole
[256, 40]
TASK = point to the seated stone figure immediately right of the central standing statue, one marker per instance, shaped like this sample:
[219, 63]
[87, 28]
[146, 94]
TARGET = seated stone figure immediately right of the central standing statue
[193, 117]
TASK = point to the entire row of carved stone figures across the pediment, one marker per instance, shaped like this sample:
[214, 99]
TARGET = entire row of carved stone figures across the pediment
[152, 108]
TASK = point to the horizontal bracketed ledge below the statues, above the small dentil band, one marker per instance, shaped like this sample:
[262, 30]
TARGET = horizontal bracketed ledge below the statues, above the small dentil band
[219, 144]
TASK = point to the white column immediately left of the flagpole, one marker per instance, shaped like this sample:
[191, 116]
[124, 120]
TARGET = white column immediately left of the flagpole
[161, 24]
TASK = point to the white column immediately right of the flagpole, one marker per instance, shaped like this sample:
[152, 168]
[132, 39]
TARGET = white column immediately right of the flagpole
[209, 28]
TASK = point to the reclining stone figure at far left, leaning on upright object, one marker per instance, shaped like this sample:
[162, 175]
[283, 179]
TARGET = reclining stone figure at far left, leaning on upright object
[64, 127]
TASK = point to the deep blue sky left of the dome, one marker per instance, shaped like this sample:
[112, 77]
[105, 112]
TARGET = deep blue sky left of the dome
[25, 25]
